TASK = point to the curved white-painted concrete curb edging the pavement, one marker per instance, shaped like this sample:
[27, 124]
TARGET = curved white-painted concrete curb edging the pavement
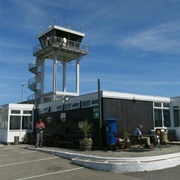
[115, 164]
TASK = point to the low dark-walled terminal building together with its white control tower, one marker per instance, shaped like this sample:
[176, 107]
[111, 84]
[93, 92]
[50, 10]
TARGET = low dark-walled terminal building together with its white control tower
[62, 111]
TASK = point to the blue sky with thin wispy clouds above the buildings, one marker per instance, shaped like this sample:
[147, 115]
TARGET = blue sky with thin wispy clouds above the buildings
[134, 45]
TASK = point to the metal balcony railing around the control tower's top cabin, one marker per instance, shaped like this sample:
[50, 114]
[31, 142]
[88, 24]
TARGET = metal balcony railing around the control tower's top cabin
[59, 42]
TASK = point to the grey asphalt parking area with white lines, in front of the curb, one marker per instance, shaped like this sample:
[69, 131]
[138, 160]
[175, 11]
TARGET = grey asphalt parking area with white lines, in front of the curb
[18, 163]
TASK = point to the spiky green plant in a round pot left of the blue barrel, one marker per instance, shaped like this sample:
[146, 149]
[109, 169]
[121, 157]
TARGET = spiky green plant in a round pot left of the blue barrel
[85, 127]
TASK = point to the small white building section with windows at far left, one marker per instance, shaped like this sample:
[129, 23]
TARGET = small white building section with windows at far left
[15, 121]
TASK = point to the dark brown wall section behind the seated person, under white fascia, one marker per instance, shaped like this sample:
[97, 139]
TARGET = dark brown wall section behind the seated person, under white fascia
[129, 113]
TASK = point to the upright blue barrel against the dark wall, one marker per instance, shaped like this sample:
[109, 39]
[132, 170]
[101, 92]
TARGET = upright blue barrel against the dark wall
[111, 131]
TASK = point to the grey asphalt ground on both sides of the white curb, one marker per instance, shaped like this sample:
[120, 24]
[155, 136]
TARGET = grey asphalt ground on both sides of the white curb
[27, 162]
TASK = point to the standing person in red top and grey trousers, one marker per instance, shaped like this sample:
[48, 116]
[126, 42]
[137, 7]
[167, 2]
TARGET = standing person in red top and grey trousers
[40, 126]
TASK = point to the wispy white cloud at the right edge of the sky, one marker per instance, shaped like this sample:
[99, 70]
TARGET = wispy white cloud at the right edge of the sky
[162, 39]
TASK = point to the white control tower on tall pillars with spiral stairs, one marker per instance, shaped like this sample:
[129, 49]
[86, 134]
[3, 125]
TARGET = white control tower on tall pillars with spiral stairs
[58, 44]
